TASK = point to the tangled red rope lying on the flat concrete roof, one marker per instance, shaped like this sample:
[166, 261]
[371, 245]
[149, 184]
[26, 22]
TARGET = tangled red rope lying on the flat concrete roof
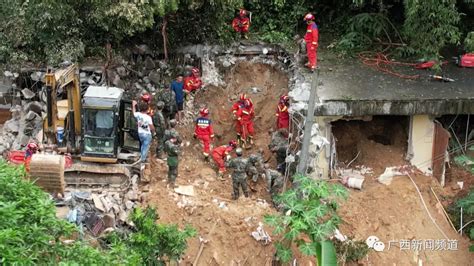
[381, 62]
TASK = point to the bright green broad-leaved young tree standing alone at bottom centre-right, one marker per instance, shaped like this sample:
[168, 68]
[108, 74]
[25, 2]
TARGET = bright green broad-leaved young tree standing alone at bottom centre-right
[310, 218]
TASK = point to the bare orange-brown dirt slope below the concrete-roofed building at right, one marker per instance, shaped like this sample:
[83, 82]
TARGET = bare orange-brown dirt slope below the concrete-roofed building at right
[395, 213]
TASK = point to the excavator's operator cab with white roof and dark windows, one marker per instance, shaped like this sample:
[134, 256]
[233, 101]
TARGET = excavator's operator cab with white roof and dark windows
[100, 121]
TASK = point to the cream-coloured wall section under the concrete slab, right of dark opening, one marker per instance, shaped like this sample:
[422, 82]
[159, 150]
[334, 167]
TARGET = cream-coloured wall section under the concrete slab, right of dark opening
[420, 142]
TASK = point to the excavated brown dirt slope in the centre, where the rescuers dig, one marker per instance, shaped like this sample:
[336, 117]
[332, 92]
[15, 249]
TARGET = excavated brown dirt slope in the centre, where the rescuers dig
[230, 242]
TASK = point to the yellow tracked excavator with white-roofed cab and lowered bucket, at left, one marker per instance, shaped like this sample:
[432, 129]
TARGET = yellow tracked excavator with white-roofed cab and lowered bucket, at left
[89, 137]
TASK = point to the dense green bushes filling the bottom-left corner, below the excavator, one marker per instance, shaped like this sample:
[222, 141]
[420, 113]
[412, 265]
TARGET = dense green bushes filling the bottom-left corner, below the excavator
[31, 234]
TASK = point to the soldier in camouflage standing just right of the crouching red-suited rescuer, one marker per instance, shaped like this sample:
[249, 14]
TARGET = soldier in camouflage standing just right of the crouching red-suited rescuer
[239, 176]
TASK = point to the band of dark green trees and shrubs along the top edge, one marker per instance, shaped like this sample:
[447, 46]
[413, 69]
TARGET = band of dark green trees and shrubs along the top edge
[49, 31]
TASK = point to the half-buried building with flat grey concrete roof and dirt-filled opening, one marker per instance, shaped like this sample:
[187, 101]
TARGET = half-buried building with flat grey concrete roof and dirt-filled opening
[355, 102]
